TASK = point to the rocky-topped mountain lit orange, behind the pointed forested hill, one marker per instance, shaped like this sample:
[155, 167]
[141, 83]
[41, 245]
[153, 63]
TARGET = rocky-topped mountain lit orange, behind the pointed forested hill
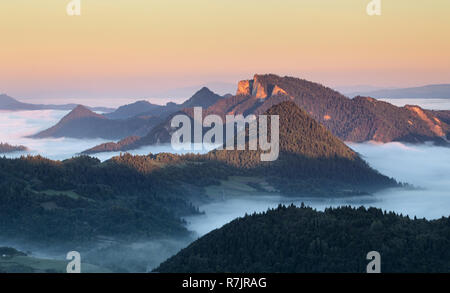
[358, 120]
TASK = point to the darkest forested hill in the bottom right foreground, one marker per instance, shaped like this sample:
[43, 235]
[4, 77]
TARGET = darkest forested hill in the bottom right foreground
[291, 239]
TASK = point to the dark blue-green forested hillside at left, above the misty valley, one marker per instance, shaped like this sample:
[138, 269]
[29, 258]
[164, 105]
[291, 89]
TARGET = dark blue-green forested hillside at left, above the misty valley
[81, 198]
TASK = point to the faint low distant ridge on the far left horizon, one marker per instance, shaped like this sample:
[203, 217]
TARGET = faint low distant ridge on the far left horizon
[10, 104]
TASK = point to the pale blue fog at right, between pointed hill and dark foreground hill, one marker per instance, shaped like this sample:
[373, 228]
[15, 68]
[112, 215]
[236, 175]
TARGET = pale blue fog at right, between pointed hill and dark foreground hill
[426, 167]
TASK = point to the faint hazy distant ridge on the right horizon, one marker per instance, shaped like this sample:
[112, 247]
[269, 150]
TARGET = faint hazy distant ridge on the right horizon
[435, 91]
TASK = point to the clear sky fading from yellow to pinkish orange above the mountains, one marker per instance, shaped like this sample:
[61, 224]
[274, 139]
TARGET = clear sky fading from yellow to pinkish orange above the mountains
[151, 48]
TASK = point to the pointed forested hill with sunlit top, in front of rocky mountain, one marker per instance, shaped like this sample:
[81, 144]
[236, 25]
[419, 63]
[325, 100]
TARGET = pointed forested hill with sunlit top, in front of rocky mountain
[310, 156]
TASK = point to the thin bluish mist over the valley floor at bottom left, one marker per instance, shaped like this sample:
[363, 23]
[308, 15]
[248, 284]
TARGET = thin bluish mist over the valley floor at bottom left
[114, 255]
